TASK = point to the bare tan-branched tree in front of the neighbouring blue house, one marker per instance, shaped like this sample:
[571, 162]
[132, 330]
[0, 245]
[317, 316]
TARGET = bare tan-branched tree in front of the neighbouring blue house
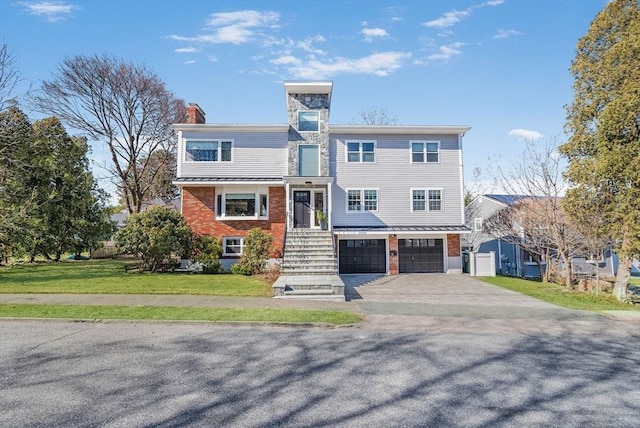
[539, 218]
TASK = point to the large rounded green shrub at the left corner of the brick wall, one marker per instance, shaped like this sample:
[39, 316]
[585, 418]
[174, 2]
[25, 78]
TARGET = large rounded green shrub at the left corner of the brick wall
[153, 235]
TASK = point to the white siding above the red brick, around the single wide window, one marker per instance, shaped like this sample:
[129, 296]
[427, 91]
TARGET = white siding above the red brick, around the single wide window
[255, 154]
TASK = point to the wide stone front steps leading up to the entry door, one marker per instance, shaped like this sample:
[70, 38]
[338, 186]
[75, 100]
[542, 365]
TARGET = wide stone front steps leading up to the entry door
[309, 269]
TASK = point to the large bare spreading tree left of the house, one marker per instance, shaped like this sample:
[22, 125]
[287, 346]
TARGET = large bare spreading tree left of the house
[126, 106]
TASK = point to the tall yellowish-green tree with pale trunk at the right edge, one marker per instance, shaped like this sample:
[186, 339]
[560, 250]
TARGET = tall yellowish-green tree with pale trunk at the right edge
[604, 124]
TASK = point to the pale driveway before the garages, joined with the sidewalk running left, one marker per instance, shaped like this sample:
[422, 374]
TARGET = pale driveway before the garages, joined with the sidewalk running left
[405, 302]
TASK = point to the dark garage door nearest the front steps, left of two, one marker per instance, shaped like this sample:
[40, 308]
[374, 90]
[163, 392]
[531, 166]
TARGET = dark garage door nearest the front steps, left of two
[363, 256]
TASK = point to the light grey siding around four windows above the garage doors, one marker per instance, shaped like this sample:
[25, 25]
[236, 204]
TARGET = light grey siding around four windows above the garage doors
[394, 177]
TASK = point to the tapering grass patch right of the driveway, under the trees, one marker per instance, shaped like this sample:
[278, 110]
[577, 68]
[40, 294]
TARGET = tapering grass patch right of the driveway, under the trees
[556, 294]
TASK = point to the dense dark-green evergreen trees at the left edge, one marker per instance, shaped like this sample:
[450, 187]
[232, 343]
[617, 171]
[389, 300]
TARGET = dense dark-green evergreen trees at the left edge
[51, 203]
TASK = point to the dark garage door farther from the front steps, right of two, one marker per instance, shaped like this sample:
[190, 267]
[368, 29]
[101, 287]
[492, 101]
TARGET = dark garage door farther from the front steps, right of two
[421, 255]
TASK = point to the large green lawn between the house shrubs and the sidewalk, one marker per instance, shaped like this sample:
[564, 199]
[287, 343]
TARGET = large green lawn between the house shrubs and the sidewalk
[111, 277]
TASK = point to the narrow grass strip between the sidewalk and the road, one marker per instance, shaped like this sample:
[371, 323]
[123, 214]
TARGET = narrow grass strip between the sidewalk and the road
[177, 313]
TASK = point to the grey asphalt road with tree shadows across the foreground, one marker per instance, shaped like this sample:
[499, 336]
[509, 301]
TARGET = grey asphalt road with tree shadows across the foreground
[165, 375]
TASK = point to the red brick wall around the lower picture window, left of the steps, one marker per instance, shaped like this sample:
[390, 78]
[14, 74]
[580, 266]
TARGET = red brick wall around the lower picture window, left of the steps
[198, 209]
